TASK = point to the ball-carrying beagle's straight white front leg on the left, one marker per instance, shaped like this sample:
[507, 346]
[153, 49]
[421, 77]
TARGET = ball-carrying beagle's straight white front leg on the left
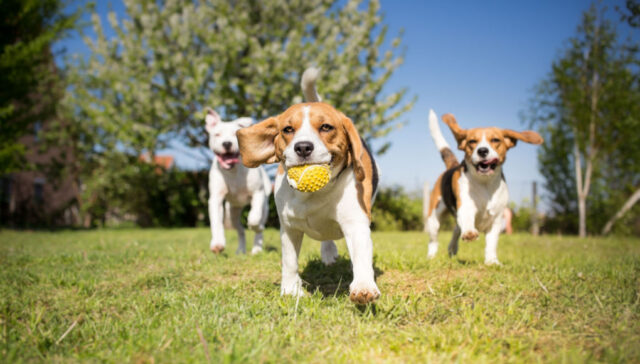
[291, 241]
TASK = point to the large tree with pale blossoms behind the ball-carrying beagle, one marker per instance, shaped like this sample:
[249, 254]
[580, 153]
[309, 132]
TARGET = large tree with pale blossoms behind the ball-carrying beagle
[148, 86]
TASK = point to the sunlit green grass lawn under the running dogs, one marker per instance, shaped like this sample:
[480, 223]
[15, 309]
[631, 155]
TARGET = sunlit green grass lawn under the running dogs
[146, 295]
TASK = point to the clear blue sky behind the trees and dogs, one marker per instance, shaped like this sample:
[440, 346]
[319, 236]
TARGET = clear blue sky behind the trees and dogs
[476, 59]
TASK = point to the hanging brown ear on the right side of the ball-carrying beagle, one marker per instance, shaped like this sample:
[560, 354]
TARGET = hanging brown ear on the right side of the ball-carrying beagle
[362, 166]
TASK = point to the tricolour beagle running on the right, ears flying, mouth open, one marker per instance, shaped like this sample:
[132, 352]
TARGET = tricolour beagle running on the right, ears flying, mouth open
[473, 190]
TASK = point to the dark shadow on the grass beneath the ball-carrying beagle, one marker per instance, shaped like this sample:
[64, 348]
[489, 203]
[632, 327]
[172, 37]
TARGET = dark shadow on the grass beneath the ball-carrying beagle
[332, 280]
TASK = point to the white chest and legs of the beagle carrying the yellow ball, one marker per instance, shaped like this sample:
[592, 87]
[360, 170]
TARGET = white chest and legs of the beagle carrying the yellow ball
[326, 215]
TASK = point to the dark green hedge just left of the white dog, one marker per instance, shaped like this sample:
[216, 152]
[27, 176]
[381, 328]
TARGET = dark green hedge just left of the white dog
[137, 191]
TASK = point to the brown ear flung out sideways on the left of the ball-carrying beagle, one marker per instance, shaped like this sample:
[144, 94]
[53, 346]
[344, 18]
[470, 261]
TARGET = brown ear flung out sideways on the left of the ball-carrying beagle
[257, 143]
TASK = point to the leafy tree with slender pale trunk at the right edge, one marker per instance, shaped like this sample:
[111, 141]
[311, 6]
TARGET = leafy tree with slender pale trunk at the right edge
[586, 108]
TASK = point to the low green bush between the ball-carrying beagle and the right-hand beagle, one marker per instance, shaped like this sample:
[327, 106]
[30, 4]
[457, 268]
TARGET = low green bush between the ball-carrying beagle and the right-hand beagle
[394, 209]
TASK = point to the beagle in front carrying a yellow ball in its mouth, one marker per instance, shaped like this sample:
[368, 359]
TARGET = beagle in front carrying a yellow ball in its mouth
[316, 133]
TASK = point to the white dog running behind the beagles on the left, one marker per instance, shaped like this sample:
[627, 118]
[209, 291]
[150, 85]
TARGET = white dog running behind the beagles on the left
[232, 182]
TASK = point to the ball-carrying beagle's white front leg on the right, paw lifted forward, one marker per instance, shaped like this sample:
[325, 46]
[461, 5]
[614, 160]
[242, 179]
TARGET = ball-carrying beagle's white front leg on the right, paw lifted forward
[363, 288]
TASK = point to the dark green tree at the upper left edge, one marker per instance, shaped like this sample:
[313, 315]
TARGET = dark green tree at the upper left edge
[28, 77]
